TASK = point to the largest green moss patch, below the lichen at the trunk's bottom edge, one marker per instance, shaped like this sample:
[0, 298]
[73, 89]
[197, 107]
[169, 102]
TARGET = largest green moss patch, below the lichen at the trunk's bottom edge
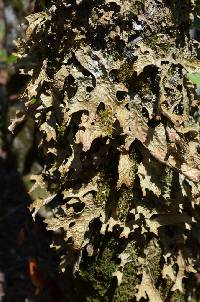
[99, 273]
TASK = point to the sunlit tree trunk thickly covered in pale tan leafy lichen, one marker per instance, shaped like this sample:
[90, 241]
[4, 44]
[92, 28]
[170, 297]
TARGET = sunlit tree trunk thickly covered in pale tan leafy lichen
[119, 133]
